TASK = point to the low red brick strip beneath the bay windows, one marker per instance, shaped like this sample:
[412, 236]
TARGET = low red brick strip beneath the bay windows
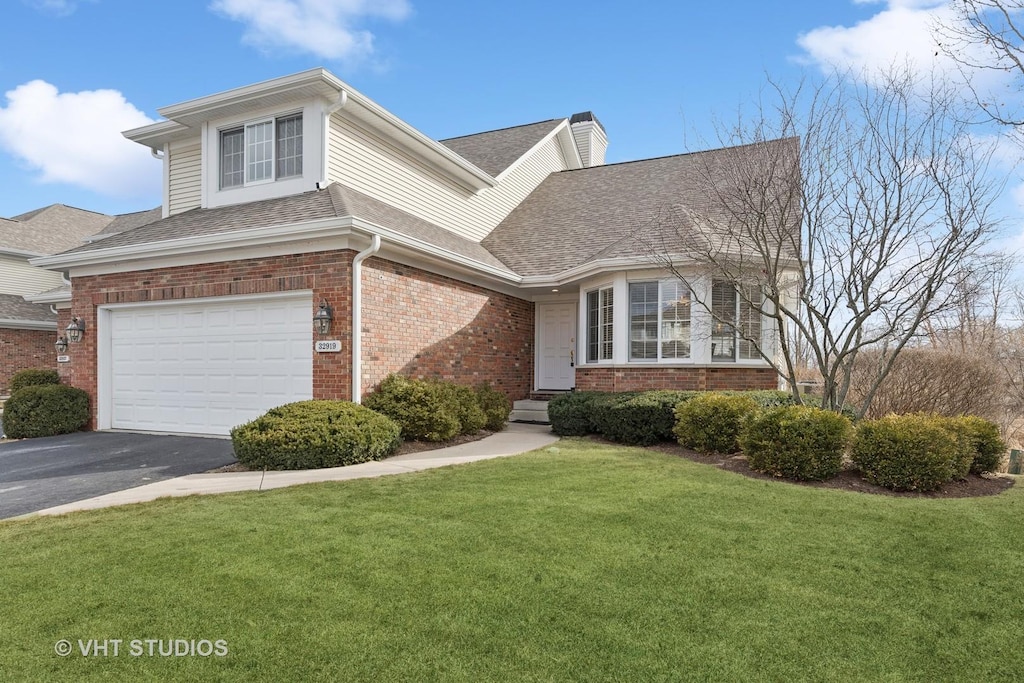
[693, 379]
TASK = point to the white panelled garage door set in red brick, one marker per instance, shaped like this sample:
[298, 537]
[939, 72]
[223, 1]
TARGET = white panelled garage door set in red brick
[205, 368]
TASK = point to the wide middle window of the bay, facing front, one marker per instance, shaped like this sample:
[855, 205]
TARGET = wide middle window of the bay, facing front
[660, 321]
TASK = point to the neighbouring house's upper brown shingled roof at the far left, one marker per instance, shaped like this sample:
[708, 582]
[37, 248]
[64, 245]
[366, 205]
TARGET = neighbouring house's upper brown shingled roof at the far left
[51, 230]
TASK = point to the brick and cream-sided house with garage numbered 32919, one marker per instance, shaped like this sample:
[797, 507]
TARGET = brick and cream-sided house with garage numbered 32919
[505, 257]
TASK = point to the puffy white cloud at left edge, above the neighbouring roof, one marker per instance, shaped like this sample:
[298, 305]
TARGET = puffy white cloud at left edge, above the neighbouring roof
[75, 138]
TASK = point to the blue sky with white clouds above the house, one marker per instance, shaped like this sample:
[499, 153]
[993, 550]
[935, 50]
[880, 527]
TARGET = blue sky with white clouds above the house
[76, 73]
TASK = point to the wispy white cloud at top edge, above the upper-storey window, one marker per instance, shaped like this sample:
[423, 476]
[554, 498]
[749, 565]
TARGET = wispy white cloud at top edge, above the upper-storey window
[324, 28]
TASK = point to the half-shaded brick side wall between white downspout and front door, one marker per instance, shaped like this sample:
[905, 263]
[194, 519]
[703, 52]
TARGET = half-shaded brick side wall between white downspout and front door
[422, 325]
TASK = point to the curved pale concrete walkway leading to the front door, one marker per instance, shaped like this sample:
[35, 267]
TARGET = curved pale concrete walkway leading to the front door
[516, 440]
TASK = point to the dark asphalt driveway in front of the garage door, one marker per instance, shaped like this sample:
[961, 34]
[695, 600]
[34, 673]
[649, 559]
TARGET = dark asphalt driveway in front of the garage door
[40, 474]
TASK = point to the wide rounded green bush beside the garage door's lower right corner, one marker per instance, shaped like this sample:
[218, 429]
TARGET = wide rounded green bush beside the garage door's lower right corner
[312, 435]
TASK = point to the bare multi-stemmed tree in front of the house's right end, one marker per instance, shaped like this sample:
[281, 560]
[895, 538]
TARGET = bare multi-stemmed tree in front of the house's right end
[845, 216]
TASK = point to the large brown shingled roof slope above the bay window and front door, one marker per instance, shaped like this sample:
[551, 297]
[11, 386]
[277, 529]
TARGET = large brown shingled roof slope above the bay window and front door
[613, 211]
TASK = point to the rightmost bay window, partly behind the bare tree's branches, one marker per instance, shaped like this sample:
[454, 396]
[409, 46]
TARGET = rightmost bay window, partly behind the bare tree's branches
[736, 321]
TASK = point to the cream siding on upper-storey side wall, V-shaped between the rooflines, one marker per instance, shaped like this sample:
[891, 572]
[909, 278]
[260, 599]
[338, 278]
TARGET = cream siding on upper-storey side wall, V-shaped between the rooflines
[361, 160]
